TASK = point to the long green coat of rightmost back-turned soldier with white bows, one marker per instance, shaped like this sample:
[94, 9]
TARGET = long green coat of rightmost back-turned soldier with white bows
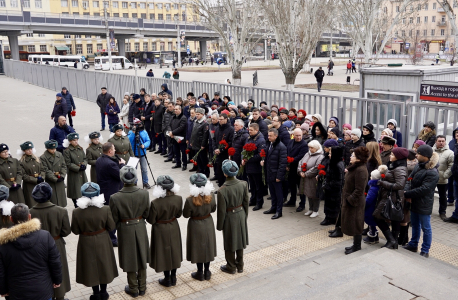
[201, 237]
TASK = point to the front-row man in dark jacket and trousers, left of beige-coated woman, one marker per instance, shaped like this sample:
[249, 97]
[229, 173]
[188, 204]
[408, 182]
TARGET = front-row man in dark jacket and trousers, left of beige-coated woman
[275, 171]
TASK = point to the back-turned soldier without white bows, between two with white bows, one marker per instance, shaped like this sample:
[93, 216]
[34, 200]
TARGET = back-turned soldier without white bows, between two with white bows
[130, 208]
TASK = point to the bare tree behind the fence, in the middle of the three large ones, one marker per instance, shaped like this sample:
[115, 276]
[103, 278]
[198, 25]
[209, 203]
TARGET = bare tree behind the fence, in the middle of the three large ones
[298, 25]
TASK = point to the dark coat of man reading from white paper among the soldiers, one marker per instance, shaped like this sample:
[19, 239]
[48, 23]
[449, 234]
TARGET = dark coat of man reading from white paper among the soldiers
[108, 176]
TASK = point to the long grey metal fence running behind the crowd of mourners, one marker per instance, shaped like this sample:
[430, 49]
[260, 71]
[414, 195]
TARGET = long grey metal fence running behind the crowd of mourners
[355, 111]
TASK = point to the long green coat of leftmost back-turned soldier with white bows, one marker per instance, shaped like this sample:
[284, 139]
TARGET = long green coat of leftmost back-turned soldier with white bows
[95, 260]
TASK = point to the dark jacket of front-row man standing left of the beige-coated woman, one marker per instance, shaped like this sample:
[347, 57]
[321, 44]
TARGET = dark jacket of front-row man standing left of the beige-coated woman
[276, 162]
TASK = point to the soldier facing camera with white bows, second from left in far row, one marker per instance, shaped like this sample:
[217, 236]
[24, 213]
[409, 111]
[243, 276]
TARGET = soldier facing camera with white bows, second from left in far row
[32, 171]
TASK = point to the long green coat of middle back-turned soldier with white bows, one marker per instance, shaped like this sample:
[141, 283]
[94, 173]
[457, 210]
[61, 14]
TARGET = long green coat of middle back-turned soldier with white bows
[166, 248]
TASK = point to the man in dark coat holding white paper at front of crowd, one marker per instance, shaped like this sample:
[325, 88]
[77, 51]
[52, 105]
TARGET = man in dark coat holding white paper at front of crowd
[178, 126]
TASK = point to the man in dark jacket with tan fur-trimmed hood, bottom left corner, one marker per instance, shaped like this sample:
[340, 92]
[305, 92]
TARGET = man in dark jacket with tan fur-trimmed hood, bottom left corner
[30, 266]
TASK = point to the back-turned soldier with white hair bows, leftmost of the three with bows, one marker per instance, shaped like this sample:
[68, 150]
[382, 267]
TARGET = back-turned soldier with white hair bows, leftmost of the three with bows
[95, 260]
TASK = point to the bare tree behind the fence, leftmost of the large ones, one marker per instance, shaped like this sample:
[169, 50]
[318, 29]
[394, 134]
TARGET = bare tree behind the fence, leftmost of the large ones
[237, 24]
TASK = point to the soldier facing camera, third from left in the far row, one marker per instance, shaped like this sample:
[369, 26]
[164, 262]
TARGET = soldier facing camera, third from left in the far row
[55, 169]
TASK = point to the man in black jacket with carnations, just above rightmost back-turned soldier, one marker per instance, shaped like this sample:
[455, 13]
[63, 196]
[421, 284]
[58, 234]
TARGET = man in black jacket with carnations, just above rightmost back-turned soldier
[224, 131]
